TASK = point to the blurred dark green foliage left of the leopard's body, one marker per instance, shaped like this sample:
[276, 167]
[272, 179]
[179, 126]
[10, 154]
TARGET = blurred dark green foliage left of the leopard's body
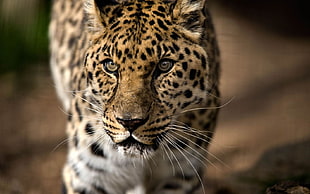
[23, 46]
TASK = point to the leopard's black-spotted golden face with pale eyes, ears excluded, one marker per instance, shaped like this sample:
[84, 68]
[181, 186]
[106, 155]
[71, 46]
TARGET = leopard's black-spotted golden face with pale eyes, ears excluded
[142, 72]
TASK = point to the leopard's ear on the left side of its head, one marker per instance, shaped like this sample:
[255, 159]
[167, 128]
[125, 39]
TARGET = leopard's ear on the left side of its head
[99, 13]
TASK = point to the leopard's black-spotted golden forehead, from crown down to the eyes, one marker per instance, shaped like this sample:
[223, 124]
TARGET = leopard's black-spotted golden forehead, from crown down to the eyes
[139, 34]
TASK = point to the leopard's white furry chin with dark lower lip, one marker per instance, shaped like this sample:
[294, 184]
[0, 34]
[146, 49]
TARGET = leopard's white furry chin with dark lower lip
[135, 149]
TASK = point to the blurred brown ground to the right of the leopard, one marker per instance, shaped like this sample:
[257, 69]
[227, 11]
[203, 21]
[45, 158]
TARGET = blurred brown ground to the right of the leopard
[263, 135]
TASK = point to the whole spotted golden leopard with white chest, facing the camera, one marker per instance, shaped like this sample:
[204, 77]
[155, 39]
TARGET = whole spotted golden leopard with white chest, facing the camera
[138, 81]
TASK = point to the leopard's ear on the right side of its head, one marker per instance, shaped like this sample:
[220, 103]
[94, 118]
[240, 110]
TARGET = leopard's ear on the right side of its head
[189, 15]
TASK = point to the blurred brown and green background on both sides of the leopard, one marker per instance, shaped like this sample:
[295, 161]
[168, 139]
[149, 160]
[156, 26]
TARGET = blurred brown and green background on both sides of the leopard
[263, 134]
